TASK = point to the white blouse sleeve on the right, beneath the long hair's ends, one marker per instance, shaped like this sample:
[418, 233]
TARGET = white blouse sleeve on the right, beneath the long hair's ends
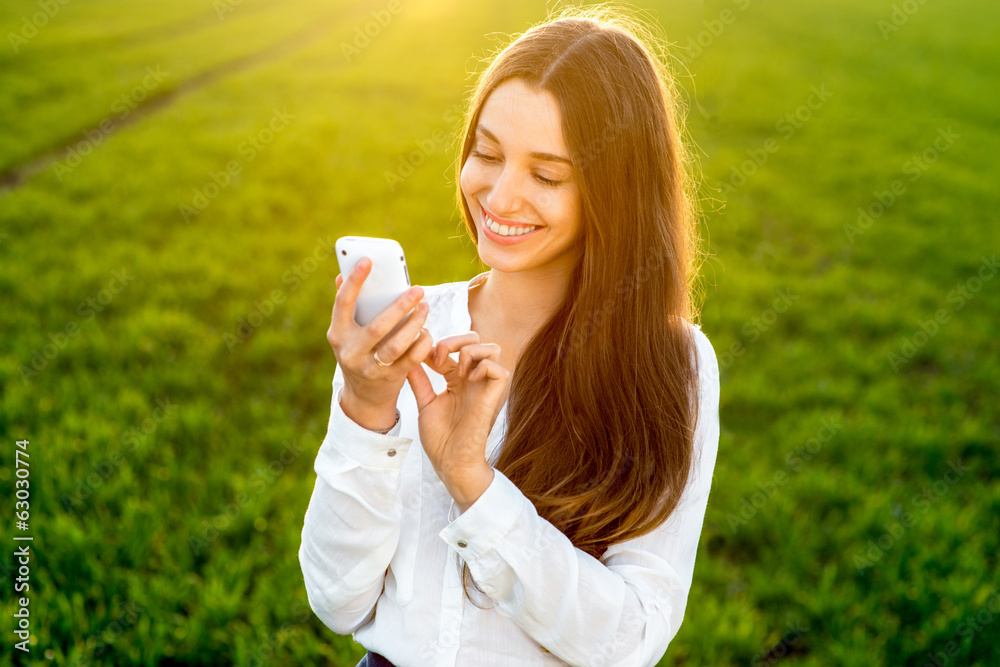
[623, 609]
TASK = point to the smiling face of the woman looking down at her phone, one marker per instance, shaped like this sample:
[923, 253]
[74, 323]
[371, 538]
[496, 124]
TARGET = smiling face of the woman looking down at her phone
[518, 177]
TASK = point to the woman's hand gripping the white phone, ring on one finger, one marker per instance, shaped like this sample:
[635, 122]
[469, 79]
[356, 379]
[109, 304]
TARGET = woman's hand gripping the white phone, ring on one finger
[371, 391]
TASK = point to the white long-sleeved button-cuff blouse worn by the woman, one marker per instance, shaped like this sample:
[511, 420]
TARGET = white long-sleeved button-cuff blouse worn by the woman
[383, 543]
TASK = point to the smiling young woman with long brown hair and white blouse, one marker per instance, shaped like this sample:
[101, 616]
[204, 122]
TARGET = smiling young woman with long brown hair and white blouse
[535, 495]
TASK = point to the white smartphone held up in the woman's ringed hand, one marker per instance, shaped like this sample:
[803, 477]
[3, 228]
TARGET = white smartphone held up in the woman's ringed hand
[387, 280]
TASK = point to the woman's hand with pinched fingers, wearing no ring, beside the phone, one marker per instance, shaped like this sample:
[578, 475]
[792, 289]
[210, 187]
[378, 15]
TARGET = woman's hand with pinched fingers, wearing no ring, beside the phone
[455, 424]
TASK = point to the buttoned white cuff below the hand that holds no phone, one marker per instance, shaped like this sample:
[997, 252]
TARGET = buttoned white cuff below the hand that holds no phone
[482, 526]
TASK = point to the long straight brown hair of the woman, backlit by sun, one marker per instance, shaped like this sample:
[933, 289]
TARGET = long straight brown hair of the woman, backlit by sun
[603, 402]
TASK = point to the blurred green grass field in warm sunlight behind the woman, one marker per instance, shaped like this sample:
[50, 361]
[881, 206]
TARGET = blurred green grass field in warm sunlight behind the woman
[171, 170]
